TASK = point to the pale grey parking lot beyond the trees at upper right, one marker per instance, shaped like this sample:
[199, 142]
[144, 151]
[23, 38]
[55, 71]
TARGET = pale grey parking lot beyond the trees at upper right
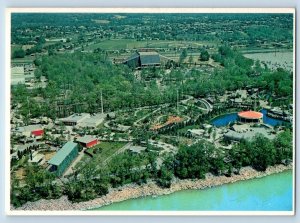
[274, 60]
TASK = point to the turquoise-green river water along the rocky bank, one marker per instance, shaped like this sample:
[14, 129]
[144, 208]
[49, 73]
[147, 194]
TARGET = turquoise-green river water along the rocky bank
[271, 193]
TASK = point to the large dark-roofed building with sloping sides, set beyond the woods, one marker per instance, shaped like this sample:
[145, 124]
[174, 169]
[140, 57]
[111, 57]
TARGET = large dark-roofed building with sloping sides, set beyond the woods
[142, 59]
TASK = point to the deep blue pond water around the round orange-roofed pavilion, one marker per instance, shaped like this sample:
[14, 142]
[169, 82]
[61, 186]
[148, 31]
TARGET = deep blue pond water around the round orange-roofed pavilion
[232, 117]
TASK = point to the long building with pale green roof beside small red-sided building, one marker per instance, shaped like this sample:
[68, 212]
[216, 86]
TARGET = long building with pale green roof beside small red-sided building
[63, 158]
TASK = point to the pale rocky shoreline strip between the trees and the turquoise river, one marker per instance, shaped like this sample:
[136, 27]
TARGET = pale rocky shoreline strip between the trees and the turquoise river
[133, 191]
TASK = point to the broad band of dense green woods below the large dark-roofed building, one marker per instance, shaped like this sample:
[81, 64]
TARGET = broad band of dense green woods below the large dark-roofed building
[76, 80]
